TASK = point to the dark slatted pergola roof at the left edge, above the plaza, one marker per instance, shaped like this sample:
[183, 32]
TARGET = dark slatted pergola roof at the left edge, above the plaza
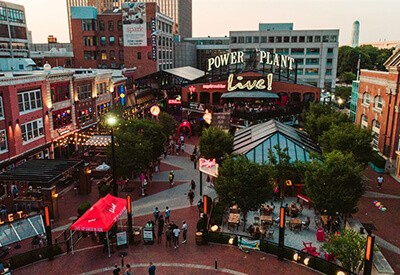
[40, 171]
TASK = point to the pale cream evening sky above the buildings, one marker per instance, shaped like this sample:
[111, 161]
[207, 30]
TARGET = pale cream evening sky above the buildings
[379, 19]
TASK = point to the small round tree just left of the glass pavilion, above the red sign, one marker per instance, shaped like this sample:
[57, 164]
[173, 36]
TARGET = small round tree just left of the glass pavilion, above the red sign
[214, 143]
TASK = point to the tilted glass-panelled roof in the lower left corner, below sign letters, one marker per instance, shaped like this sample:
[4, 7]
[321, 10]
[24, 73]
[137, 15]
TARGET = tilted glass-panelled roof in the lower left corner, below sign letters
[21, 229]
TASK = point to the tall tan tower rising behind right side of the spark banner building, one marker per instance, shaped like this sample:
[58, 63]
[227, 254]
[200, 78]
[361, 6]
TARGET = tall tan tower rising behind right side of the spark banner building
[181, 13]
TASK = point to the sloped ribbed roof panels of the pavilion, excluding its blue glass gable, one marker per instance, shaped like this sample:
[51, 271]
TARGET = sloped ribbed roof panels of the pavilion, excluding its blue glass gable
[247, 139]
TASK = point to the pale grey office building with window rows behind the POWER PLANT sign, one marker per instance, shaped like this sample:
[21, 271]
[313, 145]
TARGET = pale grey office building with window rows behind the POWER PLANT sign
[315, 51]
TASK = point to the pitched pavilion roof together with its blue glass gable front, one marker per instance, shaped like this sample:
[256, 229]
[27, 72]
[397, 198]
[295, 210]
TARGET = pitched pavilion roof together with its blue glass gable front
[254, 142]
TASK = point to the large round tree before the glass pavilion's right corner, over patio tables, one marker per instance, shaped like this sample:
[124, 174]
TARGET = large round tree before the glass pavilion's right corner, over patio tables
[336, 184]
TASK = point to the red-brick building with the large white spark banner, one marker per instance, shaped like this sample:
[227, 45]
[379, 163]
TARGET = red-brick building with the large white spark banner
[115, 39]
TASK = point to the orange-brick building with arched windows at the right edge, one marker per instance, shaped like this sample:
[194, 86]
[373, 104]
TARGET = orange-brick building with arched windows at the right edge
[377, 107]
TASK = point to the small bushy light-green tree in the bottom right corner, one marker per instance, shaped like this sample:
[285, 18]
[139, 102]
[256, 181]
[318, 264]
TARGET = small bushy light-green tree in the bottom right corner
[349, 249]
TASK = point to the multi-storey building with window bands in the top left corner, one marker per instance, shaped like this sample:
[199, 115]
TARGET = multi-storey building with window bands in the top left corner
[13, 31]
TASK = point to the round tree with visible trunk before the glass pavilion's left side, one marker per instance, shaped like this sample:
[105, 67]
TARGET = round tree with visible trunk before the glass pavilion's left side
[243, 182]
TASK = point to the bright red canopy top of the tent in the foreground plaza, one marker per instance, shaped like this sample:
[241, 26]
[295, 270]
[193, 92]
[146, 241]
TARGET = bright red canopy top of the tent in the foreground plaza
[102, 215]
